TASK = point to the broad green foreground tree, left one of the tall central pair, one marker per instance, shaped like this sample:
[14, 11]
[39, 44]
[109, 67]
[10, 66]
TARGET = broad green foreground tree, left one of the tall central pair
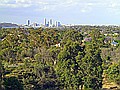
[67, 66]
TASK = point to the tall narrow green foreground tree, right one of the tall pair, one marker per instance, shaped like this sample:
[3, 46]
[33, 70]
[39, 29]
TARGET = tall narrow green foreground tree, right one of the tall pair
[92, 65]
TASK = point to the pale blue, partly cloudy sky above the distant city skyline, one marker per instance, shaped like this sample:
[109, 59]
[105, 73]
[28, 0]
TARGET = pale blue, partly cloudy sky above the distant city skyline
[65, 11]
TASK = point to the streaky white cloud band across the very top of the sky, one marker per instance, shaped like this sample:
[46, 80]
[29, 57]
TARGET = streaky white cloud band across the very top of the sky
[51, 5]
